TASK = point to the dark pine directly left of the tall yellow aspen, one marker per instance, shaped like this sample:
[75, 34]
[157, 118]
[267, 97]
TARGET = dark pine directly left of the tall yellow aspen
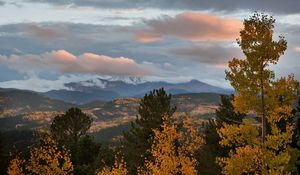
[211, 149]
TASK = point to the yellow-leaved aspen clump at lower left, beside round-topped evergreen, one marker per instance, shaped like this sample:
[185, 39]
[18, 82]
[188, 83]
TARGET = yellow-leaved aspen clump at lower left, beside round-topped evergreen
[49, 159]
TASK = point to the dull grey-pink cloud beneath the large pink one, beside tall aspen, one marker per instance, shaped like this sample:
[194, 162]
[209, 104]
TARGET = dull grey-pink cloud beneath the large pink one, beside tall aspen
[215, 54]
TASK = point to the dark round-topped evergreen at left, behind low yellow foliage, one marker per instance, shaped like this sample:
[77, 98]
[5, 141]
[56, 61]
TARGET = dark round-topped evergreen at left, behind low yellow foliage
[69, 129]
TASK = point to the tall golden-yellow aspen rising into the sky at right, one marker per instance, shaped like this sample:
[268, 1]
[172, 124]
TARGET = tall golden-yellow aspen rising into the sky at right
[259, 93]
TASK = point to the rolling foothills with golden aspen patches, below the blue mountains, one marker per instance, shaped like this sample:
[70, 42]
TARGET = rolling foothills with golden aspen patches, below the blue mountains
[26, 110]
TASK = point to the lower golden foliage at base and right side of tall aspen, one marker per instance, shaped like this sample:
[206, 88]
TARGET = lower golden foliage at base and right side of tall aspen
[272, 154]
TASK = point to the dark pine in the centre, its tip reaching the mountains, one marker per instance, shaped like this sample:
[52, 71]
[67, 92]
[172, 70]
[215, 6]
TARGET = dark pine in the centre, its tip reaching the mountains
[138, 139]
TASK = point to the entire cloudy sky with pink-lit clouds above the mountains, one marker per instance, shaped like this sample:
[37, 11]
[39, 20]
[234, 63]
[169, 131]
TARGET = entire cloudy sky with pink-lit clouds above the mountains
[47, 43]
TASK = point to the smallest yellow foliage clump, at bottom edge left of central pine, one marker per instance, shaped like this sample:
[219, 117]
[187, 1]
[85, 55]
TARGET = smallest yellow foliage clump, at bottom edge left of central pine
[119, 168]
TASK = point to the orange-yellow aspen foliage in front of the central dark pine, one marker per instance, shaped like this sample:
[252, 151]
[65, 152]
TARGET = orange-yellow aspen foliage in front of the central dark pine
[172, 151]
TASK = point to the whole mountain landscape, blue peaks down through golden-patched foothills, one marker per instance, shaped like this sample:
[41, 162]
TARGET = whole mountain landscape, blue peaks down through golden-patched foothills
[113, 104]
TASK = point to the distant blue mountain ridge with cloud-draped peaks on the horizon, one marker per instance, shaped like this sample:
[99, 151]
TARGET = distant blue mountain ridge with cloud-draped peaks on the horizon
[108, 89]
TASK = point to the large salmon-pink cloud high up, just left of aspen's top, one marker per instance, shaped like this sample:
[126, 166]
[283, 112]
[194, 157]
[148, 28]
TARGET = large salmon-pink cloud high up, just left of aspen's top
[191, 26]
